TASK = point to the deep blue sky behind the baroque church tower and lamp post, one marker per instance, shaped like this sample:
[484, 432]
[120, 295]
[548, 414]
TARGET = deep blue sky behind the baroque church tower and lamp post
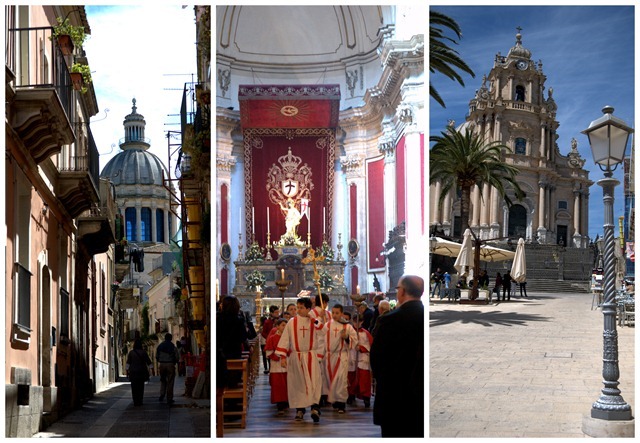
[588, 57]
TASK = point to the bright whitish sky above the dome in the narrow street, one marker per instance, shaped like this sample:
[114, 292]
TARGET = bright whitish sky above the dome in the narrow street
[144, 51]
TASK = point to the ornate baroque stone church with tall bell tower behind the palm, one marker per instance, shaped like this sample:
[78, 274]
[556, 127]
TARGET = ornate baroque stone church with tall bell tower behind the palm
[511, 106]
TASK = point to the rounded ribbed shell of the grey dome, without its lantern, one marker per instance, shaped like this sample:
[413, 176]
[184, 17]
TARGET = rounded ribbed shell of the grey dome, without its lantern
[134, 167]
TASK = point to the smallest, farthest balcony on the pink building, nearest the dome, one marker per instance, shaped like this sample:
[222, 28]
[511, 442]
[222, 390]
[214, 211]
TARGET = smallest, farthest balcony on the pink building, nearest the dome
[96, 226]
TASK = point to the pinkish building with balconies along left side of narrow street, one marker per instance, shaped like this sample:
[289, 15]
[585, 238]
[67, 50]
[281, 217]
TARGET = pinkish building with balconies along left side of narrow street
[60, 226]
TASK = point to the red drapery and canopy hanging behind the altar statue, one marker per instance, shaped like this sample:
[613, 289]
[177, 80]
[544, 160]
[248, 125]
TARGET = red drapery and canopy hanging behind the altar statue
[275, 118]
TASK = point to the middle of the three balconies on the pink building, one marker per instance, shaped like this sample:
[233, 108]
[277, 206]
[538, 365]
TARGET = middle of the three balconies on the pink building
[79, 174]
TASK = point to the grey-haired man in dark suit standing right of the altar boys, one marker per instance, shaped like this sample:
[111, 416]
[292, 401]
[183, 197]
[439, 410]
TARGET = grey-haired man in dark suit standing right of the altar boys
[397, 362]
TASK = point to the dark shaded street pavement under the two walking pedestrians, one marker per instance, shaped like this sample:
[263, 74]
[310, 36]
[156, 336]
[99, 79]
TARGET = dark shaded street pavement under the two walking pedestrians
[111, 414]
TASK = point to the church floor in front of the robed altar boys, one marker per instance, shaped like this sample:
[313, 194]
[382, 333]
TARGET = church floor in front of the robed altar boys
[262, 421]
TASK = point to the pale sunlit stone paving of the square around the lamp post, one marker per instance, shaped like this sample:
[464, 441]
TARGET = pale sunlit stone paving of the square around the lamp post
[529, 367]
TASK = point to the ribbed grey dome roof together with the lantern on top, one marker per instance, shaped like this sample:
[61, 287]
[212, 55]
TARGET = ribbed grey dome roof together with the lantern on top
[134, 165]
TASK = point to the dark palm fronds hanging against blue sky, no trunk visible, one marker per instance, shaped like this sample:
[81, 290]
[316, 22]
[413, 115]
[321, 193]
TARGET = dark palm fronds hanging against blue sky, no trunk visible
[442, 58]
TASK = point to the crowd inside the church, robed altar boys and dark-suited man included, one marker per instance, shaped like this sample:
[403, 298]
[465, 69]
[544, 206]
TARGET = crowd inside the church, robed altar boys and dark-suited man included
[320, 357]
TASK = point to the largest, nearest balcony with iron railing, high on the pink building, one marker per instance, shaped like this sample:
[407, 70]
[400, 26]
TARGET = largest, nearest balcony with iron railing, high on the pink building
[39, 99]
